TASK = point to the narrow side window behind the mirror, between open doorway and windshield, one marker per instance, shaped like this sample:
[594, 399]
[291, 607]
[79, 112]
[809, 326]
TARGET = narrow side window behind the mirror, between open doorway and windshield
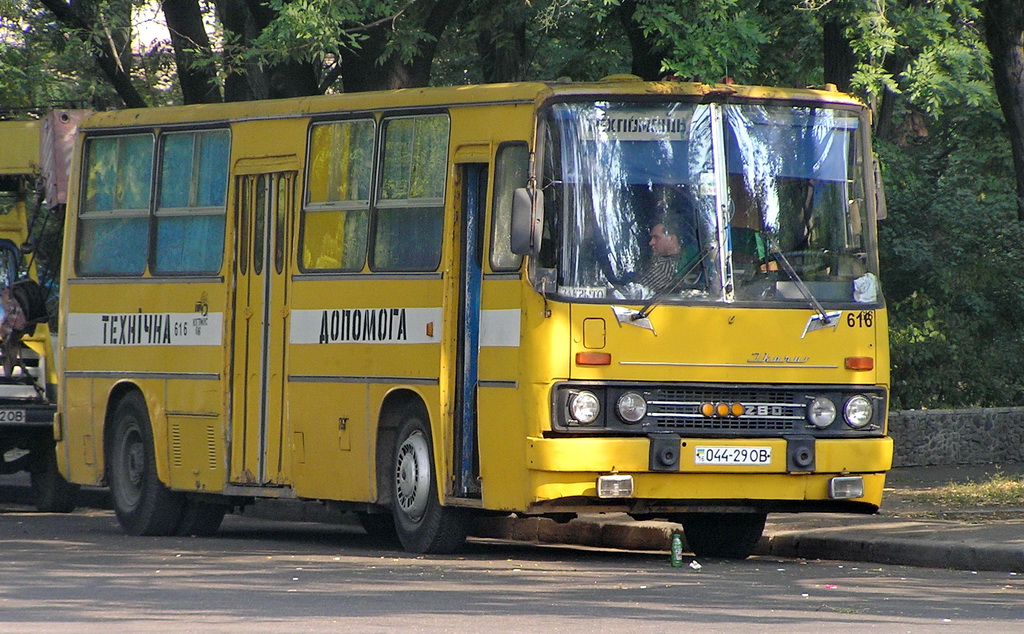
[511, 168]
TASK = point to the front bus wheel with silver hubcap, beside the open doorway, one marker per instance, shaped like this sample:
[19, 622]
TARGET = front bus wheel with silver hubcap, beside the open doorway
[422, 524]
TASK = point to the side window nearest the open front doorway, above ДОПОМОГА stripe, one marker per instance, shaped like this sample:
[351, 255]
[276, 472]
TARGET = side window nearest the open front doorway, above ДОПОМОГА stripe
[410, 212]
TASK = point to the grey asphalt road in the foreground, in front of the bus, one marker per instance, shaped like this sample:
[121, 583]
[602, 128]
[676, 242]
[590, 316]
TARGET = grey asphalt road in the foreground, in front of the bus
[79, 573]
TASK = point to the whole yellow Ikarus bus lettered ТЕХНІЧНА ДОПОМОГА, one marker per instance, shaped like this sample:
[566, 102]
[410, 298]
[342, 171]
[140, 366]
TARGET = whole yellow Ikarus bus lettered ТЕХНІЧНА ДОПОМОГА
[429, 306]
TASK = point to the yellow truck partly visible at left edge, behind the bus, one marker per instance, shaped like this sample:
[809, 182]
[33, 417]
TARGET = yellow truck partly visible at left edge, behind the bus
[28, 377]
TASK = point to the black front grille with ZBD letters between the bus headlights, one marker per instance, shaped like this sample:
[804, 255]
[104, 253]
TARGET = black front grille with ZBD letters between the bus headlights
[764, 411]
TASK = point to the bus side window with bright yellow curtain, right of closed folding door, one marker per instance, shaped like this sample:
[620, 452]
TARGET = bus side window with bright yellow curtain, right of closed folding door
[336, 218]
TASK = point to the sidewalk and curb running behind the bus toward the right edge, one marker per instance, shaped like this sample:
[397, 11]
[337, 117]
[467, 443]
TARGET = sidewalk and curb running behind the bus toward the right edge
[907, 531]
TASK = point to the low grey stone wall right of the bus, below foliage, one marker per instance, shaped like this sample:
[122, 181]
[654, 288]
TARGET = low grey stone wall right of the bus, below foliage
[957, 437]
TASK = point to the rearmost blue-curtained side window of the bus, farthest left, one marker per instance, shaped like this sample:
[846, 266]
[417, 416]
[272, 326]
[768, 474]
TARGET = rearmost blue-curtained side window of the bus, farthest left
[114, 222]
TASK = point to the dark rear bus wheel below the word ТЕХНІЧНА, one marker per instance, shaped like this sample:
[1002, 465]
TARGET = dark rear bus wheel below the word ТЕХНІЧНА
[143, 504]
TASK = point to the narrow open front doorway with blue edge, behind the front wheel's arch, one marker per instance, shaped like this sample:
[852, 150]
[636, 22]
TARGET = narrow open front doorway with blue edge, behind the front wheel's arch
[474, 182]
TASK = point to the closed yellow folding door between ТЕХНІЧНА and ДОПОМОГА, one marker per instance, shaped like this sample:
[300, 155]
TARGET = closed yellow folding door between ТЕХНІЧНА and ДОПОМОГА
[264, 212]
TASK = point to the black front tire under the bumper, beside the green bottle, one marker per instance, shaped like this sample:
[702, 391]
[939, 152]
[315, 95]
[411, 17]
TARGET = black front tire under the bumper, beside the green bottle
[730, 536]
